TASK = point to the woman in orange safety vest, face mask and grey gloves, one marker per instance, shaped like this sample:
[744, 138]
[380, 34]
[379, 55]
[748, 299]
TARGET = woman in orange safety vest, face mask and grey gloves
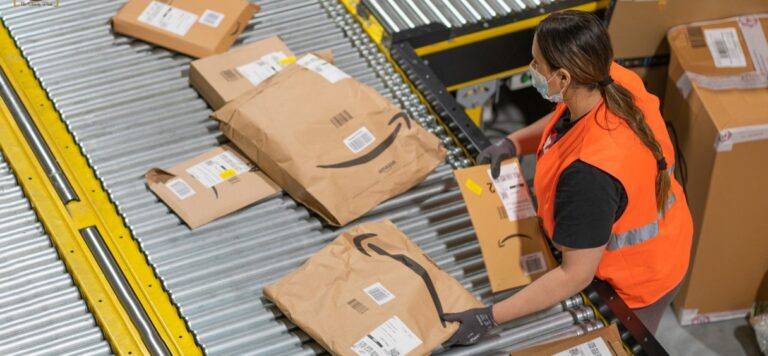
[604, 185]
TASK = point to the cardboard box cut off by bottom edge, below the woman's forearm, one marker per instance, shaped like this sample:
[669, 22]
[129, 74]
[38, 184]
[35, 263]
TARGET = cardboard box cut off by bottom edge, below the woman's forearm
[601, 342]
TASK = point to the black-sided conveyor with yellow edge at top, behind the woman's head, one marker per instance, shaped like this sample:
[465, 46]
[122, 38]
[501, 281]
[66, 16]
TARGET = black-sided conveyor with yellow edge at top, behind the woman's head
[466, 42]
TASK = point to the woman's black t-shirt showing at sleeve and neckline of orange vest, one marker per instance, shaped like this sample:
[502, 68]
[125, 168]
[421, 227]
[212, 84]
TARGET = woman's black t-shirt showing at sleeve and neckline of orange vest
[587, 201]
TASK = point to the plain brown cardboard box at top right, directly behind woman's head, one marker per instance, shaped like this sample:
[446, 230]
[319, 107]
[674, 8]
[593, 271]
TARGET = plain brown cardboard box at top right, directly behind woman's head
[638, 27]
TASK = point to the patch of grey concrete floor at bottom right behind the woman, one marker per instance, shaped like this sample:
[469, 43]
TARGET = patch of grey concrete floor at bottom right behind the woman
[732, 337]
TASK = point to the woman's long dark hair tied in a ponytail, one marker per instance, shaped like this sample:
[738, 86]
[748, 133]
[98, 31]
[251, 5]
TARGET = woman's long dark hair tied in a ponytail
[578, 42]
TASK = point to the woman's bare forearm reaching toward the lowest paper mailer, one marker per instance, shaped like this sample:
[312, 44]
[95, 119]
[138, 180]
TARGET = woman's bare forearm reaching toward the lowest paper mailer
[573, 275]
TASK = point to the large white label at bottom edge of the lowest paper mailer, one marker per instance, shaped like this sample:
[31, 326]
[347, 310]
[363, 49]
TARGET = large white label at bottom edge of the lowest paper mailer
[393, 338]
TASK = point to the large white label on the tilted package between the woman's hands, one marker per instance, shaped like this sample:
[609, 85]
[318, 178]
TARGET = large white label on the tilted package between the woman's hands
[513, 191]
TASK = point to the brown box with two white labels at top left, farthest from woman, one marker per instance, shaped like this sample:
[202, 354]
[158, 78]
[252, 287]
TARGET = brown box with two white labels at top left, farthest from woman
[197, 28]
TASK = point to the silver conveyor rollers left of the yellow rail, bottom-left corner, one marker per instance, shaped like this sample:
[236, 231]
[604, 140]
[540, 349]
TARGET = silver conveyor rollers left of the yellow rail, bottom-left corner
[41, 311]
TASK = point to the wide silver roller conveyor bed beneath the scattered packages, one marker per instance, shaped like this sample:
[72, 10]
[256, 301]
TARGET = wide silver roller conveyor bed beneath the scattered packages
[130, 107]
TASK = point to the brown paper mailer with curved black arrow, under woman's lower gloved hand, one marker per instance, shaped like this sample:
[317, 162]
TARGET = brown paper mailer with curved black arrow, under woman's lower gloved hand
[372, 291]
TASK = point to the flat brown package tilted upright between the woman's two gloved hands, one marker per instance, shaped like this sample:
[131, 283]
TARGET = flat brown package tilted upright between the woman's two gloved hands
[514, 247]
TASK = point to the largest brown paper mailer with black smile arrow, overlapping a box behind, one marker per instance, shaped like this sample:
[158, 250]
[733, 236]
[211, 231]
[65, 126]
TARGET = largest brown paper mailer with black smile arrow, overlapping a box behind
[331, 142]
